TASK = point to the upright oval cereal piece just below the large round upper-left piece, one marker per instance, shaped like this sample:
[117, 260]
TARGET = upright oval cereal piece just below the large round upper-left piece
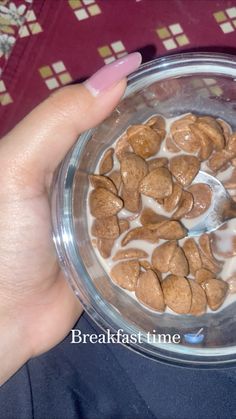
[133, 169]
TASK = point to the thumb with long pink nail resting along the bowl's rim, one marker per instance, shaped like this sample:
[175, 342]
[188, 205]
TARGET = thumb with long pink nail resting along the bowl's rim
[40, 141]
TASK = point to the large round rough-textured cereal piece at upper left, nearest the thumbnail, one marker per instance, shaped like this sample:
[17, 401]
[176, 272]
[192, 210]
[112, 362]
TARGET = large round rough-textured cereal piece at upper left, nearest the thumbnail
[144, 140]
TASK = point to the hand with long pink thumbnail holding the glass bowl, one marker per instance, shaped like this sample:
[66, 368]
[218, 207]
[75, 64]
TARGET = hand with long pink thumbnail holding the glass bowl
[37, 306]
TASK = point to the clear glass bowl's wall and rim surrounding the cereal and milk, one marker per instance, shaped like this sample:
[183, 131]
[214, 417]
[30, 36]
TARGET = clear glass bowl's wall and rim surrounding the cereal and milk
[201, 83]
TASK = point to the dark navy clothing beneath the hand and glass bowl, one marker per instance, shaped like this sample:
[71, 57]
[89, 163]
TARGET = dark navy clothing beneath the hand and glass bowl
[108, 381]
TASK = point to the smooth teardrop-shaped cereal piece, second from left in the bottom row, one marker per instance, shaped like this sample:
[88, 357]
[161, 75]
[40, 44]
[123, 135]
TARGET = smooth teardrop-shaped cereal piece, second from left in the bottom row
[148, 291]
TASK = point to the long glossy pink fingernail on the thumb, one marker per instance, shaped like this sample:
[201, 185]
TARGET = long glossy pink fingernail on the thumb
[112, 73]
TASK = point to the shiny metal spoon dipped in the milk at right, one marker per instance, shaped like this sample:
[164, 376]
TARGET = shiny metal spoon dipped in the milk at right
[222, 208]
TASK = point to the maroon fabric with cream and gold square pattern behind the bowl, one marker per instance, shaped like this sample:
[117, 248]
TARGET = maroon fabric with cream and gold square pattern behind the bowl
[45, 44]
